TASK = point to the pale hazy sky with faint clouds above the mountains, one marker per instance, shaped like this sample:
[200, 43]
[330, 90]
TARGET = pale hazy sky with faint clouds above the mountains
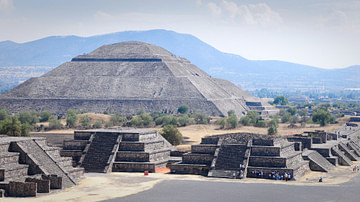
[322, 33]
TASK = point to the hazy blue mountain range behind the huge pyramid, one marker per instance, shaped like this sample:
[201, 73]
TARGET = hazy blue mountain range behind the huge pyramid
[248, 74]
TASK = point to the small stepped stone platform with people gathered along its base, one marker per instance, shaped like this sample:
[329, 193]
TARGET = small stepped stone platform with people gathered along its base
[221, 156]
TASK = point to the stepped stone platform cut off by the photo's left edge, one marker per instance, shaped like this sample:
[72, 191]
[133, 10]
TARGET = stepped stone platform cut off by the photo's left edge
[28, 166]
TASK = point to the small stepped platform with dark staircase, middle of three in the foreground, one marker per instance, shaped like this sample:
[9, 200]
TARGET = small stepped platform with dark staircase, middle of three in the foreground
[121, 149]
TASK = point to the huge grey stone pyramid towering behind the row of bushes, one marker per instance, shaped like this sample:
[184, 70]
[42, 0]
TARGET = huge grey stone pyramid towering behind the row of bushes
[125, 78]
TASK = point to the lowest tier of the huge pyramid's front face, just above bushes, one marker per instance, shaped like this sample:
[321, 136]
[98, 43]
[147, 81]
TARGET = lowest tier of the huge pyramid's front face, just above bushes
[128, 107]
